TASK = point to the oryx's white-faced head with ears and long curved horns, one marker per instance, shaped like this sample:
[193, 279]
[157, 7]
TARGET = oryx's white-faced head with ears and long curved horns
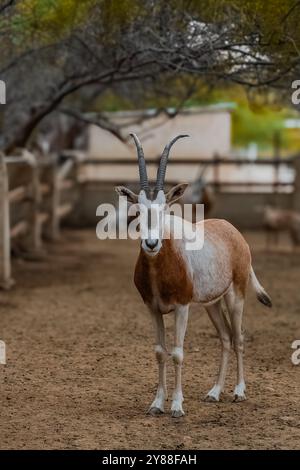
[153, 202]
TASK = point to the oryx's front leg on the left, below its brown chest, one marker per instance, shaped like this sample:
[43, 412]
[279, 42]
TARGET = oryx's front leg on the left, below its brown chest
[157, 406]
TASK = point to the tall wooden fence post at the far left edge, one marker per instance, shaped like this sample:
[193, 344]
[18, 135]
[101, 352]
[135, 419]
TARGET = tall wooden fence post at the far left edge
[6, 280]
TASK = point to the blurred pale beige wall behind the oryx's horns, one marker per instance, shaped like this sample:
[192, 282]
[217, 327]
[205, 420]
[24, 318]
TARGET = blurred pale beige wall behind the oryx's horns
[209, 130]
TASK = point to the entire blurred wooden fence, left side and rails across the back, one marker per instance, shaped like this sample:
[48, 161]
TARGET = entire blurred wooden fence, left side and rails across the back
[35, 195]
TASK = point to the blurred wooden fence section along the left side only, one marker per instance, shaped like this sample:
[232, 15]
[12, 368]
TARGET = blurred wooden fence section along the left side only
[34, 198]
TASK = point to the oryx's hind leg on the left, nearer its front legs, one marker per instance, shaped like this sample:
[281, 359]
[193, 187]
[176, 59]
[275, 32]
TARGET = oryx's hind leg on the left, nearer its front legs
[221, 324]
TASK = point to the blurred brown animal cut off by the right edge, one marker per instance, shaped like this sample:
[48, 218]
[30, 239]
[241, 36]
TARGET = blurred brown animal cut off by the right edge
[281, 220]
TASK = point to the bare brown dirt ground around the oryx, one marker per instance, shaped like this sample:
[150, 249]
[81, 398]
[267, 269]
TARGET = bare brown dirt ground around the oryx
[81, 371]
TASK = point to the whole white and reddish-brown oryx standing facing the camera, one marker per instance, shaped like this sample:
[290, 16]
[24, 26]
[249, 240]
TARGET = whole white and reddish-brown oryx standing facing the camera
[170, 276]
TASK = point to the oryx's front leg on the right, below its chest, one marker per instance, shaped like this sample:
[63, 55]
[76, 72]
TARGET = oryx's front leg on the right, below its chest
[181, 319]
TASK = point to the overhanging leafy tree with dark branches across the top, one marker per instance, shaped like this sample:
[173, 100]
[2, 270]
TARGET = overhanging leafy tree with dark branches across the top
[70, 56]
